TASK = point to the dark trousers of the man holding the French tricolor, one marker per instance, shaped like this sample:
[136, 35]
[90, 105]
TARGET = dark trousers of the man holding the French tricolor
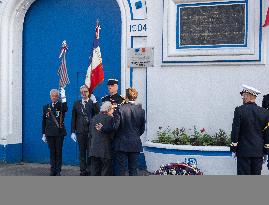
[83, 142]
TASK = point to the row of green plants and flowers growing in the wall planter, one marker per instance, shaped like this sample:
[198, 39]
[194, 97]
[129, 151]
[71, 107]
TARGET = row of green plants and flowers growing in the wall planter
[195, 138]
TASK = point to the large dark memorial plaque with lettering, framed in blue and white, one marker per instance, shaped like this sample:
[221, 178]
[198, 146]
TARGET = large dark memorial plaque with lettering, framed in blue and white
[212, 25]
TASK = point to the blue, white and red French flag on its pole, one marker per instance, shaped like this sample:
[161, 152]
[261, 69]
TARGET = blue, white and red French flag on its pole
[95, 73]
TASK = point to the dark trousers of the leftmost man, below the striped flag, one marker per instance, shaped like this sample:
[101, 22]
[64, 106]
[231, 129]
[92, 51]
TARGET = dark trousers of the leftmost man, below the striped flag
[55, 144]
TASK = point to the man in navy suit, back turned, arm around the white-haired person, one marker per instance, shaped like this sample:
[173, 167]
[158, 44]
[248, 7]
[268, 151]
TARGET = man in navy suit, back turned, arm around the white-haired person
[129, 123]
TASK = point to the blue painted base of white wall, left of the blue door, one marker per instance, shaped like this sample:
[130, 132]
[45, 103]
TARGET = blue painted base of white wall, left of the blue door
[11, 153]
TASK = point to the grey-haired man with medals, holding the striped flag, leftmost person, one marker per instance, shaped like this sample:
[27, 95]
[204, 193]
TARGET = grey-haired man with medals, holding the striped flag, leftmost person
[53, 129]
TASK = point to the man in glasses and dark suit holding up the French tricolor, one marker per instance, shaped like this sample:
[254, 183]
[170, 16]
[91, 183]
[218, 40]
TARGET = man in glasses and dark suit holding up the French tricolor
[82, 112]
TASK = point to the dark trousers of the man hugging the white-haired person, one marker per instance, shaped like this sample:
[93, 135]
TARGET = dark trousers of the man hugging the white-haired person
[128, 162]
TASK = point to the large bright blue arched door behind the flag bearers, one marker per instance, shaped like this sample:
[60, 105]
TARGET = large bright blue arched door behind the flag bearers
[47, 23]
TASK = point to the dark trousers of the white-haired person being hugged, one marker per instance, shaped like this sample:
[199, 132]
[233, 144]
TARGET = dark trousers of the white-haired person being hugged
[101, 166]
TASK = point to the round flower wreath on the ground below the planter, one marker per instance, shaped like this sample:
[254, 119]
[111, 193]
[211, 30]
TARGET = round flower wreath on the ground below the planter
[178, 169]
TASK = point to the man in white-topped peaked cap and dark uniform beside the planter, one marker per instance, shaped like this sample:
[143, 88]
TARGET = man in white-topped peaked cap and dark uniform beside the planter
[249, 134]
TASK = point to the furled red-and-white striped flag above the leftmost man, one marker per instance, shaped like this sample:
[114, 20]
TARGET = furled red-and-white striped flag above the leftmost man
[62, 71]
